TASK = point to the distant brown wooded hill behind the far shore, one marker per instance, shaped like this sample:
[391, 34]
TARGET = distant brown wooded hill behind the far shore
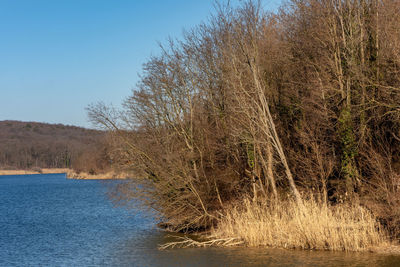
[25, 145]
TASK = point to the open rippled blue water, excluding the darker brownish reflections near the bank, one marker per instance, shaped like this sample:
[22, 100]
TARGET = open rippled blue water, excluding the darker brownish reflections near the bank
[50, 220]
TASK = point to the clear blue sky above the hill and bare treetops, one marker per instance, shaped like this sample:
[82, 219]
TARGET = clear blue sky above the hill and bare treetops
[58, 56]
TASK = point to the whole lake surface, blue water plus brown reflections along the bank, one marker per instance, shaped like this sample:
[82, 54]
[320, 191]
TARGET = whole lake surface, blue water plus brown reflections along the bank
[48, 220]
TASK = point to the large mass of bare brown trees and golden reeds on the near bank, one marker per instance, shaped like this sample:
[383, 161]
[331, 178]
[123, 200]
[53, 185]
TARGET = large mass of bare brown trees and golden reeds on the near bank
[278, 129]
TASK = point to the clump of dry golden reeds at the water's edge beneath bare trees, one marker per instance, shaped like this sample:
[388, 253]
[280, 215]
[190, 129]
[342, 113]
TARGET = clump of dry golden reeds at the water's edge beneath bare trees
[313, 226]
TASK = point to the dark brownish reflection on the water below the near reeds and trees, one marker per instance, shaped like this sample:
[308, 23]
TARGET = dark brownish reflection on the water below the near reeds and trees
[141, 250]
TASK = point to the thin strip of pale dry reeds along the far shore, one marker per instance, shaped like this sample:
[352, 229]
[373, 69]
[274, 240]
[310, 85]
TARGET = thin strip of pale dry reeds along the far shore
[71, 174]
